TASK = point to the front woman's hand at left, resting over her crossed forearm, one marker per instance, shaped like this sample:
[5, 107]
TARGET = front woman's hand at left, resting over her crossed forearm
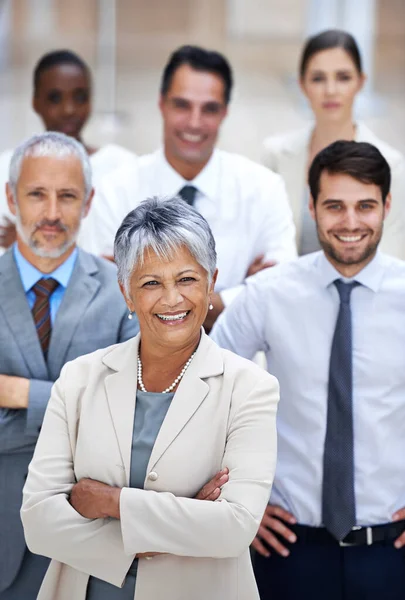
[95, 500]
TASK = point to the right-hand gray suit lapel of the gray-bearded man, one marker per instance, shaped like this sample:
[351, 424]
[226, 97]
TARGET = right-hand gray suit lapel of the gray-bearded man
[81, 289]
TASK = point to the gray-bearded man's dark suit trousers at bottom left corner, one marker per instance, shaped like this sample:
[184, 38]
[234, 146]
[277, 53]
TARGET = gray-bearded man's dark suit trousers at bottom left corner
[28, 580]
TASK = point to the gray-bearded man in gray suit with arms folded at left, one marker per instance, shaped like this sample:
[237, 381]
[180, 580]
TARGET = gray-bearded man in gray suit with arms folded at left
[56, 303]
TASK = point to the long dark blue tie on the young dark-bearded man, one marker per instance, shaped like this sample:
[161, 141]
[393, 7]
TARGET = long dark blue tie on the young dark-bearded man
[338, 498]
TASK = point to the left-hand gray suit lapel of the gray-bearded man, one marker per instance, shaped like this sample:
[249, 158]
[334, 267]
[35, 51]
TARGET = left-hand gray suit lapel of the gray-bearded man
[13, 303]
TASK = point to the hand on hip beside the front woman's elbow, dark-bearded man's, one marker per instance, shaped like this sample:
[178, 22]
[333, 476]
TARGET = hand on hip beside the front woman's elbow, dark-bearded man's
[273, 521]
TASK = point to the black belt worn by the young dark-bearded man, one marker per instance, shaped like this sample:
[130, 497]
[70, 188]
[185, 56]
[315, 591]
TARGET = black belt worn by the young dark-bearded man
[359, 536]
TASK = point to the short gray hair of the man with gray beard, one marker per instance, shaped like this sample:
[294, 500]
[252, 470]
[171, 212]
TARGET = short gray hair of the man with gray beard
[52, 144]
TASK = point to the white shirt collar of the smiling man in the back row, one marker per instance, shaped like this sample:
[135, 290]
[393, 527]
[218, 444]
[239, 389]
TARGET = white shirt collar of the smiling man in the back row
[206, 181]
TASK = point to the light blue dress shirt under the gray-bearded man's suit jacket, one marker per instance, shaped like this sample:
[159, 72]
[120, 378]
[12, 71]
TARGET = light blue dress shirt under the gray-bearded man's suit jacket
[30, 276]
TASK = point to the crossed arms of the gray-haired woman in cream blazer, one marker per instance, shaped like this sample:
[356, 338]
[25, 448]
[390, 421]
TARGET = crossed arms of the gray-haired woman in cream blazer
[149, 521]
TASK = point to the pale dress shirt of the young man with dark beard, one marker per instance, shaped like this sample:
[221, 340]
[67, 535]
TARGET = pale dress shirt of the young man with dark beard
[290, 312]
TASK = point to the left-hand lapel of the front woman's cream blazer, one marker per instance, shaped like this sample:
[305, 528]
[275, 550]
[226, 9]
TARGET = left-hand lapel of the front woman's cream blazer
[120, 389]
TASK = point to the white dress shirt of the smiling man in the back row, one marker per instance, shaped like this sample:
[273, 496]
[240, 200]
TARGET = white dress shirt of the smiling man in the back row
[244, 203]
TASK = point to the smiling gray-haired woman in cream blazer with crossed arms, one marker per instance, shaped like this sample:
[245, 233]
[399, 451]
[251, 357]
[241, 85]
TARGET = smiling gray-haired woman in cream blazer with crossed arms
[134, 432]
